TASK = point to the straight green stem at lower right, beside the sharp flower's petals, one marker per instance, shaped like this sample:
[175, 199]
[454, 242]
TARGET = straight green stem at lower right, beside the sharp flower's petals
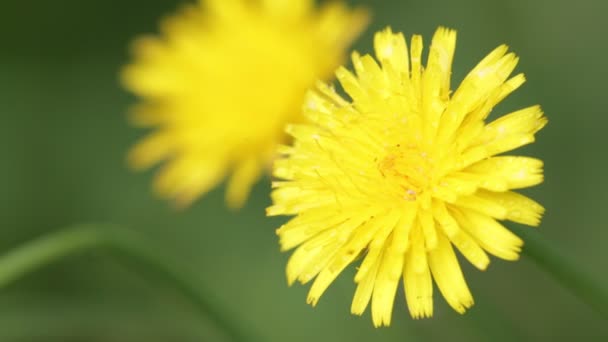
[570, 275]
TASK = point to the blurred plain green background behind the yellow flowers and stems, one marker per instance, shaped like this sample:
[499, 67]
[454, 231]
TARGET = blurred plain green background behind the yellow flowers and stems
[63, 138]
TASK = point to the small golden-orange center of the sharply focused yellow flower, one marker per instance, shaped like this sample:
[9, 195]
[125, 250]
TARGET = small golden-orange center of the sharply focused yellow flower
[408, 169]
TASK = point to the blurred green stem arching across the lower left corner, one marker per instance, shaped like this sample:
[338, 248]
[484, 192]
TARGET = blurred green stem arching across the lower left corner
[126, 244]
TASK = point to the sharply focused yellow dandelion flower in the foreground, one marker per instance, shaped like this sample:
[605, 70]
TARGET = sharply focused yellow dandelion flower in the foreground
[404, 172]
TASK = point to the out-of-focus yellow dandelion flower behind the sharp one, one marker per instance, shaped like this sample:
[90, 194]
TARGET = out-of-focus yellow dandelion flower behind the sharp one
[220, 83]
